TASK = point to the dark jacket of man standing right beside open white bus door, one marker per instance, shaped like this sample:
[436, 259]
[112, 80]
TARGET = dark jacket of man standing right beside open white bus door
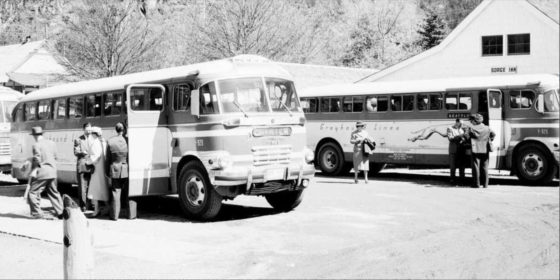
[117, 157]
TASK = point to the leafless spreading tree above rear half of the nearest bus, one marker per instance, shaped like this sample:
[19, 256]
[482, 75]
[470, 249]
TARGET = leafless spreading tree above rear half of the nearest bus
[104, 38]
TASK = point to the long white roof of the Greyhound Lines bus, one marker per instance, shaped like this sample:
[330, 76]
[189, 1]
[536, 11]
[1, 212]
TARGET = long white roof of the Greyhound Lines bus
[436, 85]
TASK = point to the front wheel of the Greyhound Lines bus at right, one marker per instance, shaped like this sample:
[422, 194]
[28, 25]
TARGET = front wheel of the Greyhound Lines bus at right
[534, 166]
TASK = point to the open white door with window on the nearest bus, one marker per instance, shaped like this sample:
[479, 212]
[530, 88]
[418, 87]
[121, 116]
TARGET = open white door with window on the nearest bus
[149, 140]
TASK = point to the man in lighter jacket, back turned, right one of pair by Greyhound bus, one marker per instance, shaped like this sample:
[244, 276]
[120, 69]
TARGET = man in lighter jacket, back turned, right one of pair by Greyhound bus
[481, 136]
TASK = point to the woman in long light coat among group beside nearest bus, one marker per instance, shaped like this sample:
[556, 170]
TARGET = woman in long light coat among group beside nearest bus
[98, 186]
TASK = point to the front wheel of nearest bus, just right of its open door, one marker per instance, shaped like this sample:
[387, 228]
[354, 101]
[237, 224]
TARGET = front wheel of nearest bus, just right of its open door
[199, 200]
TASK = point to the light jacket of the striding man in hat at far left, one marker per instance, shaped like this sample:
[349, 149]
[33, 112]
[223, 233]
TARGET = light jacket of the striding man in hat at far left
[44, 159]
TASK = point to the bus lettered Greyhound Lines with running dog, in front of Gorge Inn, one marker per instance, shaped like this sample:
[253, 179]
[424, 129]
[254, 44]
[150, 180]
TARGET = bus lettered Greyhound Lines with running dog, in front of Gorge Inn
[404, 116]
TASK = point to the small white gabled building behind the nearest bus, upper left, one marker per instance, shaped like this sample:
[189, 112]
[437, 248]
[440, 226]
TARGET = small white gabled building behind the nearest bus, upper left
[30, 66]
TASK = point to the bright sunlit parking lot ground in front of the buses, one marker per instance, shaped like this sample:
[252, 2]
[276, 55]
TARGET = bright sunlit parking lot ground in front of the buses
[403, 224]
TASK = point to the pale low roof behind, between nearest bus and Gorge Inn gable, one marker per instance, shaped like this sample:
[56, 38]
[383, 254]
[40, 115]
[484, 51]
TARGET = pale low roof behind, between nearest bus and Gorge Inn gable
[310, 75]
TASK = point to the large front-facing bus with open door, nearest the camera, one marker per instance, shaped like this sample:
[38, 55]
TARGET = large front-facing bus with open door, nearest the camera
[207, 132]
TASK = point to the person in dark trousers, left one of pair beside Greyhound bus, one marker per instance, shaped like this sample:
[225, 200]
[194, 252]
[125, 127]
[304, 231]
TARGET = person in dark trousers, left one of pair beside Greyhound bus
[455, 135]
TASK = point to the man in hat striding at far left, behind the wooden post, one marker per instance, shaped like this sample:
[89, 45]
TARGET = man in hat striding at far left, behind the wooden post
[44, 161]
